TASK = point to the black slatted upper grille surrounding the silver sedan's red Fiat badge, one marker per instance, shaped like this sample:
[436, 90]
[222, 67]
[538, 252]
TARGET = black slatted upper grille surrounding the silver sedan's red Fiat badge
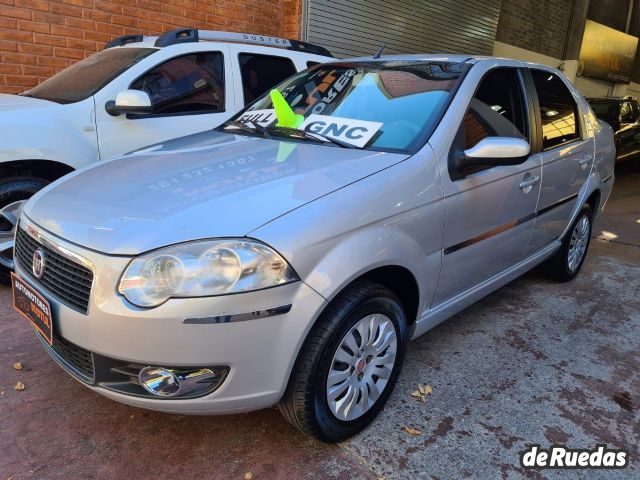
[66, 279]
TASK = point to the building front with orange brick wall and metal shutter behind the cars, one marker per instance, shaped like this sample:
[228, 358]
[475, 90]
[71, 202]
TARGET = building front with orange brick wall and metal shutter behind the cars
[40, 37]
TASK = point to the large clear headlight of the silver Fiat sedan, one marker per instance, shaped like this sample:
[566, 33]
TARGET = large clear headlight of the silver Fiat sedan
[202, 269]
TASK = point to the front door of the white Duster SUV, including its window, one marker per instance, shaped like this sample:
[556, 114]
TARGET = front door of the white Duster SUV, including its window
[191, 92]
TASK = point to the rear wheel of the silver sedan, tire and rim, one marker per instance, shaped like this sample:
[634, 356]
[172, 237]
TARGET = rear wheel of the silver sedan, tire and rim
[560, 267]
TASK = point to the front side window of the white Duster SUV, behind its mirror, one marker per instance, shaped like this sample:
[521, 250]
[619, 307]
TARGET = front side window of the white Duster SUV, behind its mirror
[190, 83]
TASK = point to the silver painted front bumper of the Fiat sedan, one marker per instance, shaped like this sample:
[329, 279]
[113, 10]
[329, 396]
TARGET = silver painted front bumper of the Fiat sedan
[259, 352]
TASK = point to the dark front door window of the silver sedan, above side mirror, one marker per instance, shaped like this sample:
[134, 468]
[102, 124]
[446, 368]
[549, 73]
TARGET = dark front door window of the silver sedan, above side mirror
[497, 108]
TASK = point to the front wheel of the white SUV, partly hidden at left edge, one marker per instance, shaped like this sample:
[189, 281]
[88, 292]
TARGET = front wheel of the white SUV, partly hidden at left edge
[14, 191]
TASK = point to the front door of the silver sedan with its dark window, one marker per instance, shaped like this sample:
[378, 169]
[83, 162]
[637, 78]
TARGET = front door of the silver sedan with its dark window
[489, 212]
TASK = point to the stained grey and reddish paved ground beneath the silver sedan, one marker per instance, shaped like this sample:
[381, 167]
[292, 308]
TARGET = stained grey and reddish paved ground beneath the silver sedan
[536, 362]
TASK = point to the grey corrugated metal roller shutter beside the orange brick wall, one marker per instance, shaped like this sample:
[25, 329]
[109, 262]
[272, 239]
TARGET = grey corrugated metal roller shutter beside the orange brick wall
[360, 27]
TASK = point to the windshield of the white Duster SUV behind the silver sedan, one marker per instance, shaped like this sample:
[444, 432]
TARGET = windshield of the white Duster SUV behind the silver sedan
[86, 77]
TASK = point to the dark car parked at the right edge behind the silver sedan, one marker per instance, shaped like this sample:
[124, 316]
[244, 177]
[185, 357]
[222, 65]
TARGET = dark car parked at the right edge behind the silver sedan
[623, 114]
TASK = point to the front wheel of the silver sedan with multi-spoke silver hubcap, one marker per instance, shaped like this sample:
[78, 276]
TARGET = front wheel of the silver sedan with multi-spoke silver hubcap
[305, 403]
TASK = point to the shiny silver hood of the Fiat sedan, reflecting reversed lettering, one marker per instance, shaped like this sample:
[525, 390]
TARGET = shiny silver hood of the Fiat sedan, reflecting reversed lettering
[203, 186]
